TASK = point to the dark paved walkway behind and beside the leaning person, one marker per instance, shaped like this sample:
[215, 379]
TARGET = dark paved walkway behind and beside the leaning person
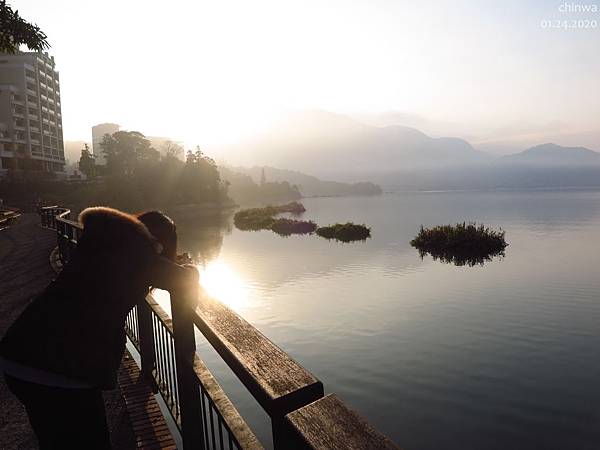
[24, 272]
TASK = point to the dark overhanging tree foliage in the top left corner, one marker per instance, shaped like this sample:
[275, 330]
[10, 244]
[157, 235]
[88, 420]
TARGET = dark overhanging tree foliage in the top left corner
[15, 31]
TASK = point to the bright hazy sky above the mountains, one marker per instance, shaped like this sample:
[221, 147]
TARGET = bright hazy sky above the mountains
[210, 71]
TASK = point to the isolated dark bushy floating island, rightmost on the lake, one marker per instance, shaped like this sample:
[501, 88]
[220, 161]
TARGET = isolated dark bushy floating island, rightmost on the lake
[461, 244]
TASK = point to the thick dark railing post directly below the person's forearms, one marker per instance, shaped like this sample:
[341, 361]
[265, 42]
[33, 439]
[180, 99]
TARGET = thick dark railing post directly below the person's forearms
[190, 406]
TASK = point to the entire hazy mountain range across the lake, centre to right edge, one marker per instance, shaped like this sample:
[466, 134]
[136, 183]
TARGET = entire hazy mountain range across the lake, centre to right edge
[337, 147]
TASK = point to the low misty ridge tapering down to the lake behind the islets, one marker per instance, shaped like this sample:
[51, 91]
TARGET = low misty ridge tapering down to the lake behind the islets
[309, 185]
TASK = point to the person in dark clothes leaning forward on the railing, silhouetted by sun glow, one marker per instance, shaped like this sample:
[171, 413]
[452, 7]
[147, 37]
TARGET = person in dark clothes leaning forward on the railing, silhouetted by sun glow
[67, 345]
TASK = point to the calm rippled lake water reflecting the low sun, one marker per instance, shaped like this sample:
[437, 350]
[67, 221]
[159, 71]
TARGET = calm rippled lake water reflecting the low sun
[500, 356]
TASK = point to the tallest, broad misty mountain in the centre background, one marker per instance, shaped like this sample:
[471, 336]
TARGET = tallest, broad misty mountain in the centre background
[327, 144]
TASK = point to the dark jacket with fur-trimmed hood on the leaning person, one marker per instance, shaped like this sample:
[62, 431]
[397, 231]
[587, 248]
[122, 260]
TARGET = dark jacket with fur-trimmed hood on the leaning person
[75, 327]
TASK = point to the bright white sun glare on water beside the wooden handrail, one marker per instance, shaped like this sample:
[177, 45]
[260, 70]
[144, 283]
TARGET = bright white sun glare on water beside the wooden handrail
[224, 284]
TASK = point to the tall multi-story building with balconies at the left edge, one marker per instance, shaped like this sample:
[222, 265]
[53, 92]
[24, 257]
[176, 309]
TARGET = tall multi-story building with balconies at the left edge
[31, 135]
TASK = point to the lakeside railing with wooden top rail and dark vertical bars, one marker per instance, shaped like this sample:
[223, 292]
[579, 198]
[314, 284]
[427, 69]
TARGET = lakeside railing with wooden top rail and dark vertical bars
[294, 398]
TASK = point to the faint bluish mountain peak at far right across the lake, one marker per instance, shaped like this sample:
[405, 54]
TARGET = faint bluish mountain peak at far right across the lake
[553, 155]
